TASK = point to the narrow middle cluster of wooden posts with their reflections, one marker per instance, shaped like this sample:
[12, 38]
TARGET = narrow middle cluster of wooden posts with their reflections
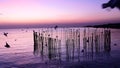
[72, 43]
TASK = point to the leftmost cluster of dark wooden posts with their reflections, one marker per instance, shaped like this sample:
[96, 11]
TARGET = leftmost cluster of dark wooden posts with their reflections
[45, 45]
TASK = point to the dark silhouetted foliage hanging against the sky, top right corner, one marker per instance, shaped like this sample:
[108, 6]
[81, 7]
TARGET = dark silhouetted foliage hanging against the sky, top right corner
[112, 4]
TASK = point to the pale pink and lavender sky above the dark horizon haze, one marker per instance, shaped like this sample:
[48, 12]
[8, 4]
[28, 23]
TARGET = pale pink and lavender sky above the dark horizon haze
[55, 11]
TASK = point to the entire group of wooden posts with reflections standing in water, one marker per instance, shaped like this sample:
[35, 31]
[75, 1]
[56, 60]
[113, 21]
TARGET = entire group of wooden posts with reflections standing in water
[72, 44]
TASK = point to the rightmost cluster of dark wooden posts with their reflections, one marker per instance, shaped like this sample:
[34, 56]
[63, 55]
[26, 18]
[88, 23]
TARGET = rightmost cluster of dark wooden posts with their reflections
[96, 42]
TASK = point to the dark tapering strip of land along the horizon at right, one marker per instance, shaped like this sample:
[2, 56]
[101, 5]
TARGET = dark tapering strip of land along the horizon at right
[111, 25]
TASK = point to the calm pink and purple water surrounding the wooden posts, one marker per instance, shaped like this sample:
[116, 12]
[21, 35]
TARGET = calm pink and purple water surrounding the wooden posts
[69, 47]
